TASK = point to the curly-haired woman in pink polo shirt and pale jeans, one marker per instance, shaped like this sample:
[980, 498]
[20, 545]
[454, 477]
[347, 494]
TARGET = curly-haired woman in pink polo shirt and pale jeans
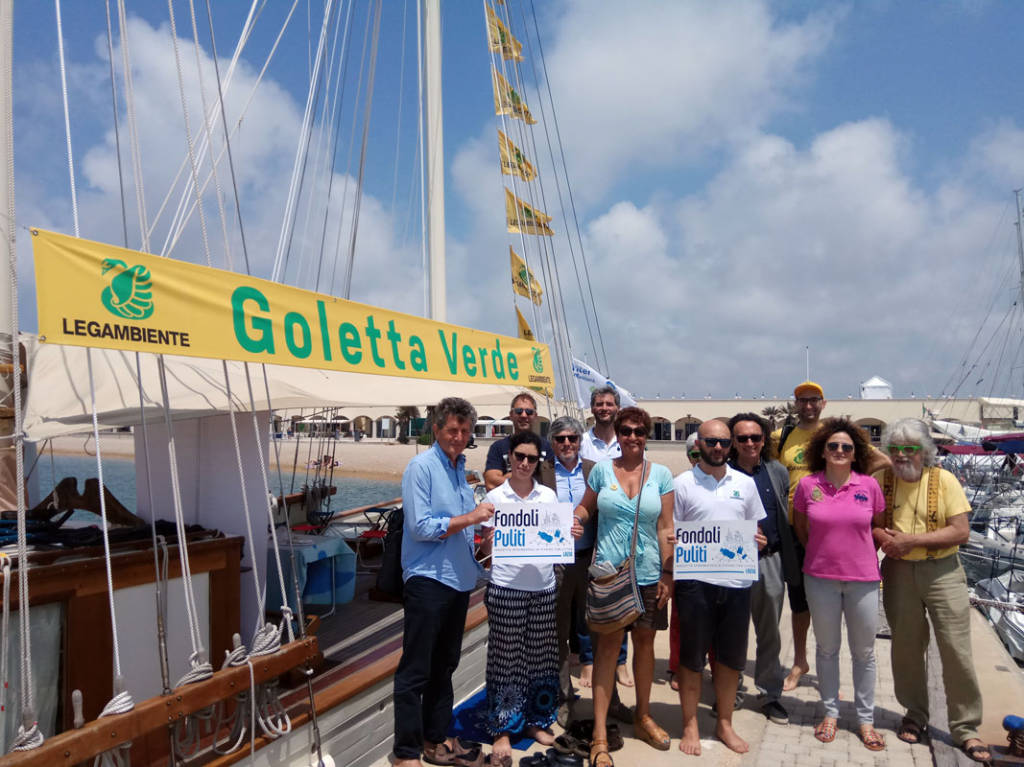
[835, 510]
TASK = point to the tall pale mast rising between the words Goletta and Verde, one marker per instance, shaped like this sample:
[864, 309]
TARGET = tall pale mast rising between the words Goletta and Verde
[436, 157]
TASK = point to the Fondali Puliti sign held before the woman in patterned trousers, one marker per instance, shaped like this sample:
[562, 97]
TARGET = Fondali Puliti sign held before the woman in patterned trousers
[533, 534]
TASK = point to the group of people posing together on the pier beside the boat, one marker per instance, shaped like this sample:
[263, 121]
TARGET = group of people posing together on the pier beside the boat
[824, 509]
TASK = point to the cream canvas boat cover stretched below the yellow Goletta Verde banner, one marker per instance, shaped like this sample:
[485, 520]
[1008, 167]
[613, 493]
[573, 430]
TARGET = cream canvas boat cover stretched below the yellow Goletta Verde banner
[60, 401]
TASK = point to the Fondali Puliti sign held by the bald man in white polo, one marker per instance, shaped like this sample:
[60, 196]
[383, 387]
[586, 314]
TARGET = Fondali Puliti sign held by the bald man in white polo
[716, 550]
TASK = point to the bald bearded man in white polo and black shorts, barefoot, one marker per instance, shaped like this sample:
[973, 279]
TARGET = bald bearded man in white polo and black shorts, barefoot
[714, 610]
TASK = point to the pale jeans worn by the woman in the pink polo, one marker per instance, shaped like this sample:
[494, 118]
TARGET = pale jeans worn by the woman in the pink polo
[859, 603]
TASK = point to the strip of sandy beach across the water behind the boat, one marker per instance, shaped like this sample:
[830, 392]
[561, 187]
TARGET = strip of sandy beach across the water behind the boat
[369, 459]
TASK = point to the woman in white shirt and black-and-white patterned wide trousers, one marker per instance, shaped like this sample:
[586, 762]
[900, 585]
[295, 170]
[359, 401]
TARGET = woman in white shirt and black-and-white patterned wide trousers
[523, 649]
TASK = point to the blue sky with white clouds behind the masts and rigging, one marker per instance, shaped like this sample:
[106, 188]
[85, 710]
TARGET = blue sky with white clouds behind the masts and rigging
[755, 184]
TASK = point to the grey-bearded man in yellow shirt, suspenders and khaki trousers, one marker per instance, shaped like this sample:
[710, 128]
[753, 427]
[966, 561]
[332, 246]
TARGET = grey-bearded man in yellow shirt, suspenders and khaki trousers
[926, 523]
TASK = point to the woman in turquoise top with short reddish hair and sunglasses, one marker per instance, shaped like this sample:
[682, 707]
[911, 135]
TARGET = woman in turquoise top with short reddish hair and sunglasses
[612, 493]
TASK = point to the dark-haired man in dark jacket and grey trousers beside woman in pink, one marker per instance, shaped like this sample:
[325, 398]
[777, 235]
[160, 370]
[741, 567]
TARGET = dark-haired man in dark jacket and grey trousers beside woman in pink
[778, 565]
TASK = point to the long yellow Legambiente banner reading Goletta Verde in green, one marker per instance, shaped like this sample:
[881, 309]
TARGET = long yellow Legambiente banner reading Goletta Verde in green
[91, 294]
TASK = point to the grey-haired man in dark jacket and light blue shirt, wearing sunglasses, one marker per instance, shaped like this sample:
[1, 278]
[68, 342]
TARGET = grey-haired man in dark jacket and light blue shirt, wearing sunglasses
[568, 477]
